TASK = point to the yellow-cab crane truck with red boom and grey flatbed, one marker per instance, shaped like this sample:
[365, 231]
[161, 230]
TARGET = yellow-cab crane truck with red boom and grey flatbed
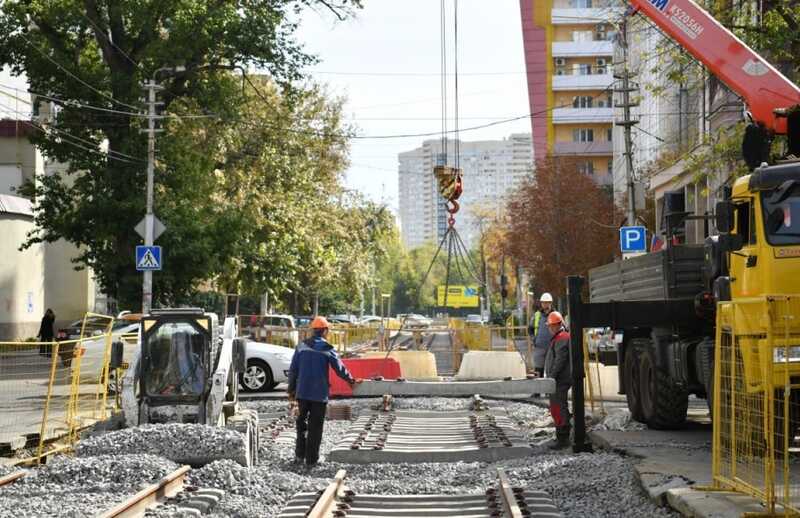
[722, 318]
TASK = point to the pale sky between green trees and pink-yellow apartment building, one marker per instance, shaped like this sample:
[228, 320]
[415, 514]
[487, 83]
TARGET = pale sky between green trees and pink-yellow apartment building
[387, 63]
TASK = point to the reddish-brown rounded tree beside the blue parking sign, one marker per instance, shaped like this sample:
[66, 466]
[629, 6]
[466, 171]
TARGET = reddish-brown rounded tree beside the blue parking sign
[561, 223]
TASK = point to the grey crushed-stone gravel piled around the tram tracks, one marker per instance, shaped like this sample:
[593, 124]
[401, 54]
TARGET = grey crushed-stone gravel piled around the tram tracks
[581, 485]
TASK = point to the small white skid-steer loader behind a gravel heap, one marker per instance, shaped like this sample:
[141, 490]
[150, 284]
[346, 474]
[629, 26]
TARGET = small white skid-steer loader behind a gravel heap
[186, 370]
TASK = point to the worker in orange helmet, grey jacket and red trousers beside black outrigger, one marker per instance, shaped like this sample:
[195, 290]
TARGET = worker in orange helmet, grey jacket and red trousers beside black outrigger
[557, 365]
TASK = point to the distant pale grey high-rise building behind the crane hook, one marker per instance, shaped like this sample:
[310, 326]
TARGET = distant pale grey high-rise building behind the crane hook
[491, 168]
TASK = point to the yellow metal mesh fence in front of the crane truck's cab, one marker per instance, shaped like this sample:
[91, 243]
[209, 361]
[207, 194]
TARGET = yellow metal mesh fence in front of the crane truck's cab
[756, 401]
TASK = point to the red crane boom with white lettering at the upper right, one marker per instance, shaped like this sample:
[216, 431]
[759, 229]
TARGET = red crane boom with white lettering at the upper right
[762, 86]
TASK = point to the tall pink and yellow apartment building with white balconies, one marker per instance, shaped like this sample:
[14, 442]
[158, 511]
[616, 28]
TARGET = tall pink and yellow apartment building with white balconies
[568, 54]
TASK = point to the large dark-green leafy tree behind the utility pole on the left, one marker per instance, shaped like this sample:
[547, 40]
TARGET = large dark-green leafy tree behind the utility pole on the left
[89, 59]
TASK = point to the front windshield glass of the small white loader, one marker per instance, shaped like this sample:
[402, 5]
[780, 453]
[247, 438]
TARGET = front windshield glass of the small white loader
[175, 353]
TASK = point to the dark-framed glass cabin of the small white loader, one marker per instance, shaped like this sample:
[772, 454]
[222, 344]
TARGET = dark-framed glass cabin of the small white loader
[176, 357]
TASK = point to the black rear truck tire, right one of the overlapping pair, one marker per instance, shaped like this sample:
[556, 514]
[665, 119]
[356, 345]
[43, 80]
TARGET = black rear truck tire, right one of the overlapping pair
[664, 404]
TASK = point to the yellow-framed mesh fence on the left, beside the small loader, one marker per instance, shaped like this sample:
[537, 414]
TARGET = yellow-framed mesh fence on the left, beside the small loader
[50, 391]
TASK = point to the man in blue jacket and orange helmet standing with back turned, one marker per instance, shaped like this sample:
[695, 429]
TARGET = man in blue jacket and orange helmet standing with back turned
[309, 387]
